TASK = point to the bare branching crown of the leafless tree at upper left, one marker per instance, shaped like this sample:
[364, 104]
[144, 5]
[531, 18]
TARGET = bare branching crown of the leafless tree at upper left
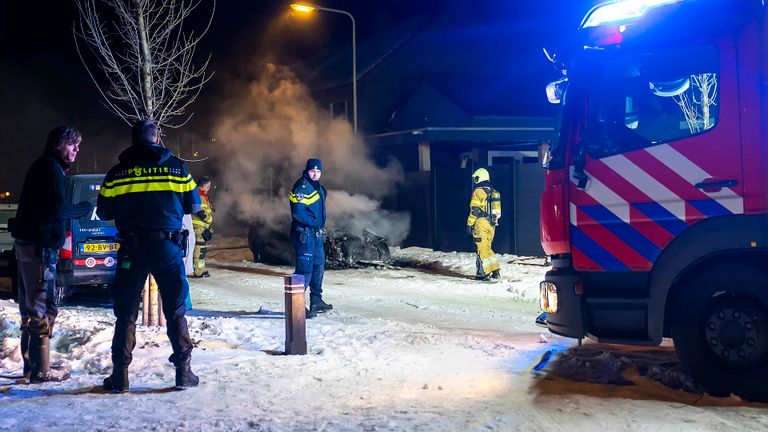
[143, 58]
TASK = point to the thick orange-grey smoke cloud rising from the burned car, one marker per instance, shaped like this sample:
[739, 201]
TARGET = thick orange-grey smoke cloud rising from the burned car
[266, 133]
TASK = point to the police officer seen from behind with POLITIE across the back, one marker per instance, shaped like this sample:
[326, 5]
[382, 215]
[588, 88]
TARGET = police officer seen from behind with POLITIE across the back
[147, 194]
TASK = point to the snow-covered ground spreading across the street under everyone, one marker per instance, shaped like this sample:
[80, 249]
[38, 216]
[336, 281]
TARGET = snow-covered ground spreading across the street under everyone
[422, 348]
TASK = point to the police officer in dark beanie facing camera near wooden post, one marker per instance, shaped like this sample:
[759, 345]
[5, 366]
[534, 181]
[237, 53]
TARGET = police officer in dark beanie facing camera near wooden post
[307, 199]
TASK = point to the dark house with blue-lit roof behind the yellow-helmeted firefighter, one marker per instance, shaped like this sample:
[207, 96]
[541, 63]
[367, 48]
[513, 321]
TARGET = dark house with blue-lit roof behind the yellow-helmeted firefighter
[445, 94]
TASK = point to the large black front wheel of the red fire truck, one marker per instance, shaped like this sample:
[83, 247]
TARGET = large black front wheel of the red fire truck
[721, 332]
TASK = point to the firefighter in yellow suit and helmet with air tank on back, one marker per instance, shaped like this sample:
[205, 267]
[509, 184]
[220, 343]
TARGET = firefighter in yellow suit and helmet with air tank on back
[484, 215]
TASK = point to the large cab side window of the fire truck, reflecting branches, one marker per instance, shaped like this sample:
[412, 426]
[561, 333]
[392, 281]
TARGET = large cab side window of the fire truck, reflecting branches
[639, 100]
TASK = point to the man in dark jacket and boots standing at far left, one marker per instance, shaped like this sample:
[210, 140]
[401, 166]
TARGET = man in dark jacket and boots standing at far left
[38, 229]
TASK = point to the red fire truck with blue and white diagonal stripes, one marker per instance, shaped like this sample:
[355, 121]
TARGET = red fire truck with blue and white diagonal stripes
[655, 208]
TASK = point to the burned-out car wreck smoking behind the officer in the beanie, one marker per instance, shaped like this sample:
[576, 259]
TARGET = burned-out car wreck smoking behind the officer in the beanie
[342, 249]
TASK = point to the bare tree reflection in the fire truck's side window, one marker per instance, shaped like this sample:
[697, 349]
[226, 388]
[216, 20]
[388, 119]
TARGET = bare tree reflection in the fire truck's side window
[696, 107]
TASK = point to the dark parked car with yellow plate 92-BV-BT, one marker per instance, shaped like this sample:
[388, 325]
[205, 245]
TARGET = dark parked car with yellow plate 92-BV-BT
[89, 256]
